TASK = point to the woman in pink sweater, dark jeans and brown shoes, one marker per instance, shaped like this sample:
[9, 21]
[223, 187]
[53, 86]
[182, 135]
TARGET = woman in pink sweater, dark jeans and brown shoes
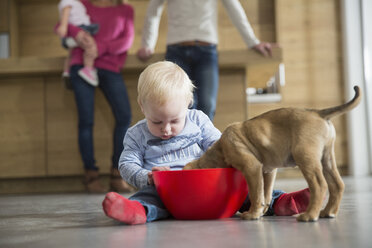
[113, 40]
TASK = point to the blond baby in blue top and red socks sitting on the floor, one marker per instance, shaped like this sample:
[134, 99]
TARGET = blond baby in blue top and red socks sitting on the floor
[170, 136]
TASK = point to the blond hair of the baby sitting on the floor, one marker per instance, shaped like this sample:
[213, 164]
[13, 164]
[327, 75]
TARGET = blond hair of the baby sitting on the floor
[162, 81]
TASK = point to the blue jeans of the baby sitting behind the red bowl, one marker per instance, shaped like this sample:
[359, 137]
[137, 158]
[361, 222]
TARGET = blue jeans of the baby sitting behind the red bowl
[156, 210]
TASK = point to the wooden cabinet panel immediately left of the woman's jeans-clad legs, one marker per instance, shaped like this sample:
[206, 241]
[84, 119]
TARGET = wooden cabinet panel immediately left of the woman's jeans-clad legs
[63, 151]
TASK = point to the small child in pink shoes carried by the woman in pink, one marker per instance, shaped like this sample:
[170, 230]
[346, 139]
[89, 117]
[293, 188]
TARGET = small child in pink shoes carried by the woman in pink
[73, 12]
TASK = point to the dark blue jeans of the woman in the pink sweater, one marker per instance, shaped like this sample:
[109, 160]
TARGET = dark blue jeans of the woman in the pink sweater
[113, 88]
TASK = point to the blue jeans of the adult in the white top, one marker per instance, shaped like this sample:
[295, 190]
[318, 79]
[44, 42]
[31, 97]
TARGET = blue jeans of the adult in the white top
[201, 65]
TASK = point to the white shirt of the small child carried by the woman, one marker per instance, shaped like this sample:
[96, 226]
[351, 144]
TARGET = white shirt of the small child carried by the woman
[78, 14]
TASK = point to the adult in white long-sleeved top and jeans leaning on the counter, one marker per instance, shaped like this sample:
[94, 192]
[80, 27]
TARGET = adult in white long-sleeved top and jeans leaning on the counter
[192, 41]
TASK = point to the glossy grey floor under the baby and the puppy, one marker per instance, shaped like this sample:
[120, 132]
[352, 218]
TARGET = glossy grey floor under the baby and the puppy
[77, 220]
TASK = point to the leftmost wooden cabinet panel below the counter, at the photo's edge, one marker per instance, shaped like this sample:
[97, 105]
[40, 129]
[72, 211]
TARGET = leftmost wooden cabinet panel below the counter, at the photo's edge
[22, 127]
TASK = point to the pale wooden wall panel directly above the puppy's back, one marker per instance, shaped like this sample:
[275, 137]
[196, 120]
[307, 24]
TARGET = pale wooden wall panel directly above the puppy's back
[310, 38]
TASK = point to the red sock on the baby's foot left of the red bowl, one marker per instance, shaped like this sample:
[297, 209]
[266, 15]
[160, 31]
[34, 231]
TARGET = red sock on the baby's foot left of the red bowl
[120, 208]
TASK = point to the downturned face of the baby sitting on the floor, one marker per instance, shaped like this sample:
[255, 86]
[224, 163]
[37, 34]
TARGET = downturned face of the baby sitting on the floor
[168, 120]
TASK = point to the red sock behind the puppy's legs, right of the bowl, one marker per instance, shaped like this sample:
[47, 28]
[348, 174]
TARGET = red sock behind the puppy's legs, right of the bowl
[292, 203]
